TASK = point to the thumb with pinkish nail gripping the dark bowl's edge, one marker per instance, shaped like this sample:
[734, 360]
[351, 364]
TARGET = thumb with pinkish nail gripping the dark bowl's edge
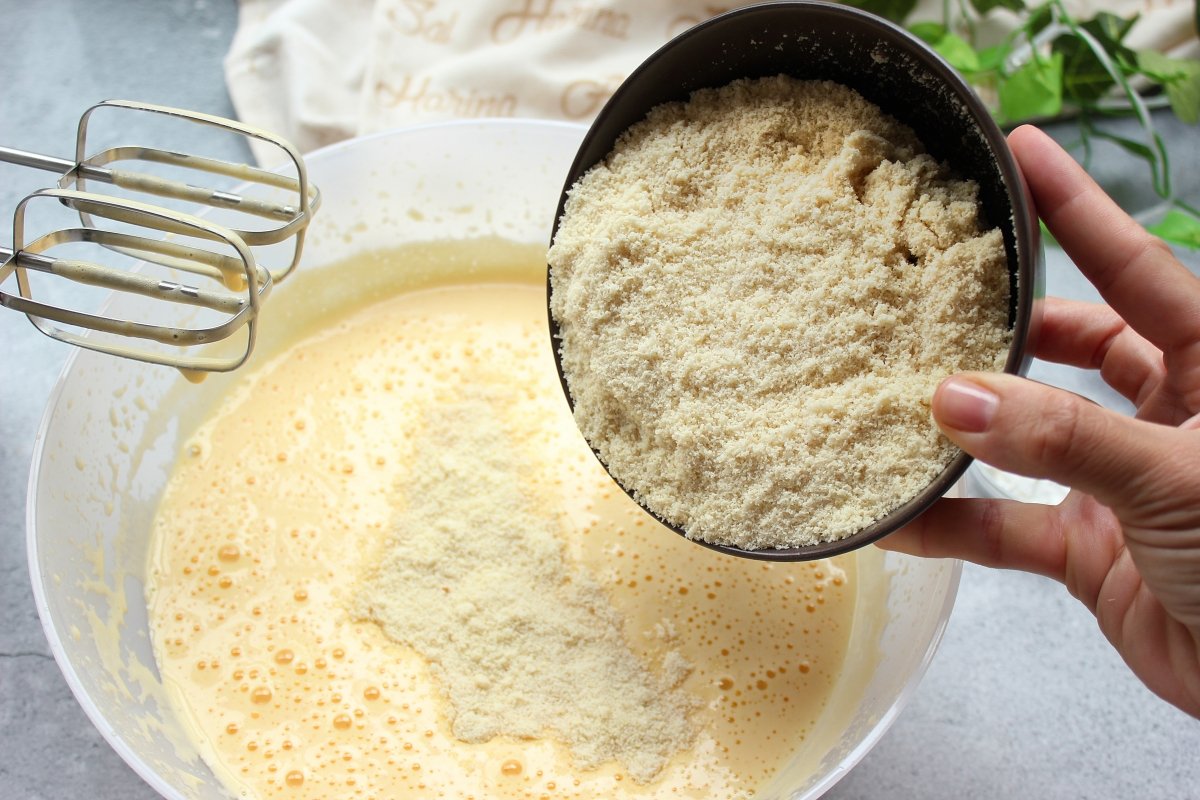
[1039, 431]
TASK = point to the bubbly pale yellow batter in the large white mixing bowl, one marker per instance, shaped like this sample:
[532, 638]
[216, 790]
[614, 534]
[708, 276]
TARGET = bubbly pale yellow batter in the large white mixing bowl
[281, 507]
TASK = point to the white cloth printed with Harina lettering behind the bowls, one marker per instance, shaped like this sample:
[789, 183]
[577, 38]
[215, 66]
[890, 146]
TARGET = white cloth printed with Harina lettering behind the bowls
[319, 71]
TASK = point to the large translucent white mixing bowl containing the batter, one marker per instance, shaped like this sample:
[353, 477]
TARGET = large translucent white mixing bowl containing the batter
[106, 450]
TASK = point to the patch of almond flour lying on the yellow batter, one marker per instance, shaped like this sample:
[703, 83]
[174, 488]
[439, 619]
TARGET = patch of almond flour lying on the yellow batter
[525, 645]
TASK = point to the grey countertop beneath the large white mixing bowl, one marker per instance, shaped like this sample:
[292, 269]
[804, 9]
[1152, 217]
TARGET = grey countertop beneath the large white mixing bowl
[1025, 697]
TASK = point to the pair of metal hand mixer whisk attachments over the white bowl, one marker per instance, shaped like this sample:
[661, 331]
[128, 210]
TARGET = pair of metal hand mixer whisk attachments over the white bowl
[173, 288]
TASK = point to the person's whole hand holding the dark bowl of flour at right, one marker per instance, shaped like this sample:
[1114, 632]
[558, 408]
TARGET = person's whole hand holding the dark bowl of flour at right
[1126, 542]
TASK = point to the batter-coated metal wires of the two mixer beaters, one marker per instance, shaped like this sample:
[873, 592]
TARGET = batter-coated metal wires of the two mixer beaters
[223, 255]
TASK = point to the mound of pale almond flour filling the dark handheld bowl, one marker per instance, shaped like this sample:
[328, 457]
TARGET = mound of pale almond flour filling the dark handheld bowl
[758, 293]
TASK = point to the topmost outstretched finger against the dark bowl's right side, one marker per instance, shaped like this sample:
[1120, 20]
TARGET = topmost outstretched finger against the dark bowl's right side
[1135, 272]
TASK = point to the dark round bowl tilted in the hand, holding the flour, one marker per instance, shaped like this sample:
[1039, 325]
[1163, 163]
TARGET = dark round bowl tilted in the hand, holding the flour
[898, 73]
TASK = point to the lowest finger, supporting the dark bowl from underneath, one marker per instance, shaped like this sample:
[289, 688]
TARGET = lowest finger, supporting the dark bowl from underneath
[993, 533]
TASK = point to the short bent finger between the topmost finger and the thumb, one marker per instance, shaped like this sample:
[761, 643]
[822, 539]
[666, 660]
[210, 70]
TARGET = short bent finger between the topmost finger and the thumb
[1093, 336]
